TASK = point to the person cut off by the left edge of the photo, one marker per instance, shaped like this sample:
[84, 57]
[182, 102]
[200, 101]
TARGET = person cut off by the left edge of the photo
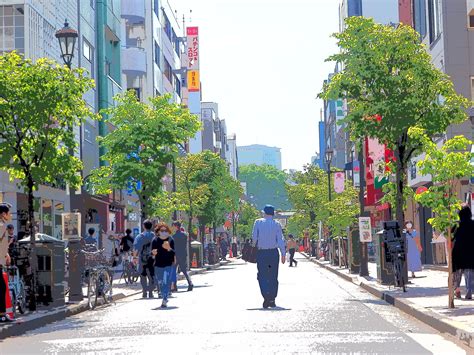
[5, 217]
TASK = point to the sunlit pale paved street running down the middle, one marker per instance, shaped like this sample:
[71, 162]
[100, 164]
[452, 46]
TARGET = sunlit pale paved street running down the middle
[318, 312]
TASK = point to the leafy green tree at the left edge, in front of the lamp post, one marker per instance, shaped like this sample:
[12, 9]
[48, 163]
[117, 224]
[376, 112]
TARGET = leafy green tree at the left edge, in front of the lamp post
[40, 104]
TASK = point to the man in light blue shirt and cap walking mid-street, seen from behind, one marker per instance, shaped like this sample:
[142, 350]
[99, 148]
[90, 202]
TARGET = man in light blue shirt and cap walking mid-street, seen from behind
[267, 235]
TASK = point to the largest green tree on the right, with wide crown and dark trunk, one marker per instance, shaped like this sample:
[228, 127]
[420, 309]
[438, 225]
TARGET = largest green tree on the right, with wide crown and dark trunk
[391, 85]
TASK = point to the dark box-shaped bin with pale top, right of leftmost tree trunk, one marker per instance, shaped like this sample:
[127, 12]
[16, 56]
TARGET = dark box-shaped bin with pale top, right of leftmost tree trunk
[50, 266]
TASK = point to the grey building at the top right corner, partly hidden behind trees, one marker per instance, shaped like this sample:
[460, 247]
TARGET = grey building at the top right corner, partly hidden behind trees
[446, 27]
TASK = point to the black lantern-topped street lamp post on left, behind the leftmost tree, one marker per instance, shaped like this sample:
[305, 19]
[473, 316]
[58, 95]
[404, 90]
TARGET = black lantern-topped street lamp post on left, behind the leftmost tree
[67, 38]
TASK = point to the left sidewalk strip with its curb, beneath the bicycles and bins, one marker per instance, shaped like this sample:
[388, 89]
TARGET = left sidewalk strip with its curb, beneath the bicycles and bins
[41, 317]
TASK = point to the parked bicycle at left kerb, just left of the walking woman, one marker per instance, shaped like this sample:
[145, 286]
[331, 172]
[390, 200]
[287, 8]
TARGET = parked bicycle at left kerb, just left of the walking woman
[99, 276]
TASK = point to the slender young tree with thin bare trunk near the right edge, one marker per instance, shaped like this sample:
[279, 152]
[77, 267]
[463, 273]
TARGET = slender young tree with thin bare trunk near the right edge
[447, 166]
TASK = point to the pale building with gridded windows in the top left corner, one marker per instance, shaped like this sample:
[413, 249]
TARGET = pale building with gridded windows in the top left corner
[29, 27]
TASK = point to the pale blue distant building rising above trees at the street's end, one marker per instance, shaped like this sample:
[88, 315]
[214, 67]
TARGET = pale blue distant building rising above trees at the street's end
[259, 155]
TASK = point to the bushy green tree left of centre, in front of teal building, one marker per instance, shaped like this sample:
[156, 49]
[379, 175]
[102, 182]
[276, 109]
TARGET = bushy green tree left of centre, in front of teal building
[141, 145]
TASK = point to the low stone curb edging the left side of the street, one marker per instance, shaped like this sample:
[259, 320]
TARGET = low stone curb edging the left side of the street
[39, 320]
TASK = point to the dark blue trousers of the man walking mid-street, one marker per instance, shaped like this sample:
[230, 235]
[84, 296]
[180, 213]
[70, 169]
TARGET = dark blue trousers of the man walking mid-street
[267, 265]
